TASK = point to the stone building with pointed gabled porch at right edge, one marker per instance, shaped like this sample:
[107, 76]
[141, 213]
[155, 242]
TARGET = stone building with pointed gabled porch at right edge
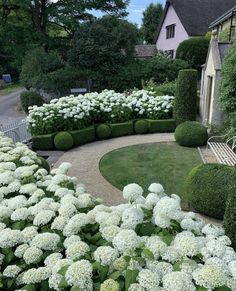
[210, 111]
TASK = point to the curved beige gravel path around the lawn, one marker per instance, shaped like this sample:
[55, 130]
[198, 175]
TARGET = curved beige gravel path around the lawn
[85, 163]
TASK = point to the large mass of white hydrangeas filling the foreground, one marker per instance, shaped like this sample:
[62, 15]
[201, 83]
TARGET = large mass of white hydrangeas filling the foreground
[55, 236]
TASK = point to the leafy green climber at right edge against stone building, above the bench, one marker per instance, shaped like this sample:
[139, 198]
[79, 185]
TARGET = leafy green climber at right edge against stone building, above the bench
[228, 83]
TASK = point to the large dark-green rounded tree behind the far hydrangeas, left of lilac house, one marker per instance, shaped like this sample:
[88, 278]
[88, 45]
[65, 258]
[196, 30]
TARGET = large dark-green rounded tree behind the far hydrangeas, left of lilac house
[103, 45]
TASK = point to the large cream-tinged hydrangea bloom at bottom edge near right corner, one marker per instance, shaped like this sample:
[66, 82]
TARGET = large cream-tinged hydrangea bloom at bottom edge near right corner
[209, 276]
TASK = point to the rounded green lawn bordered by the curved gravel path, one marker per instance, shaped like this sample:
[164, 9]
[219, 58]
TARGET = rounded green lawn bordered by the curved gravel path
[165, 163]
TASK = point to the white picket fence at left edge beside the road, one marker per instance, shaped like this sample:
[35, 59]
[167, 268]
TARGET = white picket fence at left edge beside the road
[17, 131]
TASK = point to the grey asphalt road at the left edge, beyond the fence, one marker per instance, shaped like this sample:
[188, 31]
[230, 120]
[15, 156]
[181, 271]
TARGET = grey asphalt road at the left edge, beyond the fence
[8, 105]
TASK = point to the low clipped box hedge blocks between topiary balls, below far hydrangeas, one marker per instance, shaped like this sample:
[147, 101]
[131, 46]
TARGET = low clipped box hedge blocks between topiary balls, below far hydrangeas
[118, 129]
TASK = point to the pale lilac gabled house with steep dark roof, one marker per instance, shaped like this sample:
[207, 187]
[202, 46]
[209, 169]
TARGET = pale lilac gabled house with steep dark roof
[183, 19]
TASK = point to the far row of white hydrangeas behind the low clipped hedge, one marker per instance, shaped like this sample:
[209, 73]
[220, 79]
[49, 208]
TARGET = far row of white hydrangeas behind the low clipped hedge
[69, 113]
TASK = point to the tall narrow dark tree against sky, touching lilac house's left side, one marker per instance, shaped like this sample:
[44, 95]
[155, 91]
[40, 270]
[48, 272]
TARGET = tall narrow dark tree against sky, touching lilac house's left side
[151, 20]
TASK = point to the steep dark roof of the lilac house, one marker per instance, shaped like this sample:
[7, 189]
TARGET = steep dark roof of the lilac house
[196, 15]
